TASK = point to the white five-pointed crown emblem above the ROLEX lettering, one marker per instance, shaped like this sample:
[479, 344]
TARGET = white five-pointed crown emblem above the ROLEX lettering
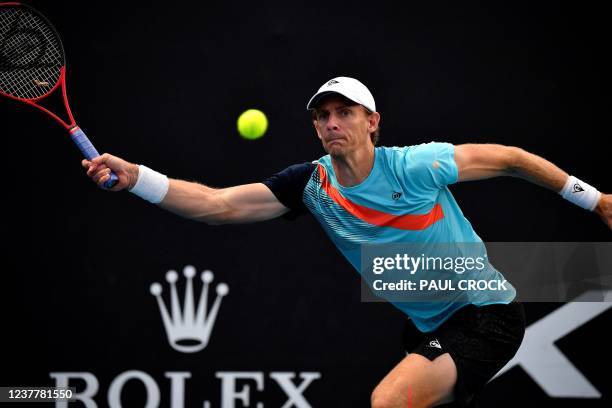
[189, 329]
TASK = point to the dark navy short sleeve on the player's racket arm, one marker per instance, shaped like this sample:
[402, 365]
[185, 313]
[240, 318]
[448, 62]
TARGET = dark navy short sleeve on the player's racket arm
[288, 187]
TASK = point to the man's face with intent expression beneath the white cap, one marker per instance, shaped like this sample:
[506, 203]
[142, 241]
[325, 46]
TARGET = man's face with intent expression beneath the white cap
[343, 126]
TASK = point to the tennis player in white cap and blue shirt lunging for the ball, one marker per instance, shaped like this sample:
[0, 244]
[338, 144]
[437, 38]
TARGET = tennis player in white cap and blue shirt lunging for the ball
[361, 193]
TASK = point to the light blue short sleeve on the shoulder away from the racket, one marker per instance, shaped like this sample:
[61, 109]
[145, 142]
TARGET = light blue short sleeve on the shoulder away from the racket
[433, 164]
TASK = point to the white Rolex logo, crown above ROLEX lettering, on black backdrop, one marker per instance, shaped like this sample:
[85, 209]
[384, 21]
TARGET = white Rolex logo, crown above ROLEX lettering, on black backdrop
[189, 328]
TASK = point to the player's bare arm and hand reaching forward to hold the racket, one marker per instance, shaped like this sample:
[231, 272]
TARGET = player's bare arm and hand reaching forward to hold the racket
[239, 204]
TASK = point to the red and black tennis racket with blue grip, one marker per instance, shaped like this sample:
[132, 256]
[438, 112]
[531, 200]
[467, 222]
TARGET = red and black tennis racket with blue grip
[33, 66]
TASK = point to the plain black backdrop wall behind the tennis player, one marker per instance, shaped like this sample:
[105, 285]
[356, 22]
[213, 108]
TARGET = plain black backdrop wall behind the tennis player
[163, 85]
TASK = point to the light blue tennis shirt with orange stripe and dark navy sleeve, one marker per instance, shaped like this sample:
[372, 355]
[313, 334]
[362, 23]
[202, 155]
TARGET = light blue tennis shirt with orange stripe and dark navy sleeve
[404, 199]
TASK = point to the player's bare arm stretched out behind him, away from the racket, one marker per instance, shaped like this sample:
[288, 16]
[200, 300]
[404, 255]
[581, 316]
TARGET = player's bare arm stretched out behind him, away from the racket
[481, 161]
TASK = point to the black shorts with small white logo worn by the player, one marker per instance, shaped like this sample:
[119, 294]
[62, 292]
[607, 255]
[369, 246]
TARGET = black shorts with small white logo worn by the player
[480, 339]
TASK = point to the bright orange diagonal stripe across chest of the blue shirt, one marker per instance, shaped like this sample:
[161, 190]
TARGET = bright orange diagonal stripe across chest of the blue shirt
[405, 222]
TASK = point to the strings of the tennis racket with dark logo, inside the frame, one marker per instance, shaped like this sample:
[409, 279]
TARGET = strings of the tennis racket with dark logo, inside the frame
[31, 55]
